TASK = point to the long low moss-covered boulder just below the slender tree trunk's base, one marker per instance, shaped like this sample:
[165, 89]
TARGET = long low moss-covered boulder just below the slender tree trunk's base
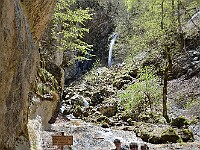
[159, 134]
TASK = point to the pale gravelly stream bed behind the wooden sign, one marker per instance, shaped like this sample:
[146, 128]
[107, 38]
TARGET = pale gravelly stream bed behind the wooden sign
[87, 136]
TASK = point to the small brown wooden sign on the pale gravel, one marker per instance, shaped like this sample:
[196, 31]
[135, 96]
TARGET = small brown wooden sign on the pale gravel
[62, 140]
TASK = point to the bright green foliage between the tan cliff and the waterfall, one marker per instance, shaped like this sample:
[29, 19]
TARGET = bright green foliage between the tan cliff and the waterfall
[68, 26]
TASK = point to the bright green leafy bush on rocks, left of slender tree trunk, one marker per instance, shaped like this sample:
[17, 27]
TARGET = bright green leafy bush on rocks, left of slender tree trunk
[144, 94]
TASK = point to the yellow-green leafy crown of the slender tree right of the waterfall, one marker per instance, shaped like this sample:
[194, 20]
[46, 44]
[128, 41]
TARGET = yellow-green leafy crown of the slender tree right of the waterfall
[154, 27]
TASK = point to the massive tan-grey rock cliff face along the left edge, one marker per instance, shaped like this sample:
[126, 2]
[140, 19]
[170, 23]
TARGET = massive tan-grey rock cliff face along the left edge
[20, 21]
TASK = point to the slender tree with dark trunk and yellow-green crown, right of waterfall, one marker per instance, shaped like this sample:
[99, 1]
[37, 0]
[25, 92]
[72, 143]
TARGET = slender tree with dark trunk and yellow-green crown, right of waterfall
[158, 31]
